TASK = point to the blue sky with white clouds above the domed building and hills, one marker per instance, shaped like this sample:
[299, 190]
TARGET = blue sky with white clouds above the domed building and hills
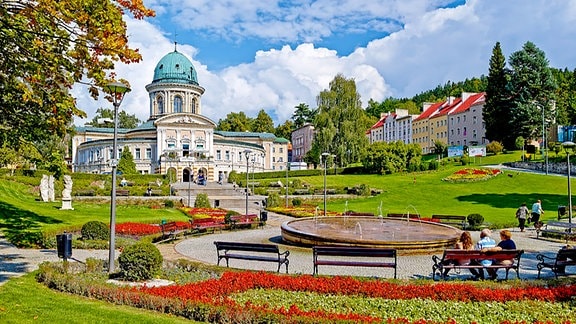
[275, 54]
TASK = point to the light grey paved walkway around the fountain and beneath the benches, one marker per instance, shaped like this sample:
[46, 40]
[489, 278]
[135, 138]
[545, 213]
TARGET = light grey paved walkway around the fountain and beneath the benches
[16, 262]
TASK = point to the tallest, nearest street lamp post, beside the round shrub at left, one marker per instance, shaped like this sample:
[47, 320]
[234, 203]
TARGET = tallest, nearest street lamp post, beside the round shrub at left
[117, 90]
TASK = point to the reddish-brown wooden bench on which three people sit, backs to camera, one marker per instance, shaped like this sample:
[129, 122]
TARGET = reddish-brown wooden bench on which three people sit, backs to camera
[441, 263]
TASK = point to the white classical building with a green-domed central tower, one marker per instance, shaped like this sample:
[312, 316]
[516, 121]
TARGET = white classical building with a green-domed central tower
[177, 136]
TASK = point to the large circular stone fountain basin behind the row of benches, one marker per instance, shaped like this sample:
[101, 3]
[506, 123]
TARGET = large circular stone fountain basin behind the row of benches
[366, 231]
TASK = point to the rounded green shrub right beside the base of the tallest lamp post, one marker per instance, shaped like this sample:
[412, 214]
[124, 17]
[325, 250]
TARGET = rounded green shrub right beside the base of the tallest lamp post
[140, 261]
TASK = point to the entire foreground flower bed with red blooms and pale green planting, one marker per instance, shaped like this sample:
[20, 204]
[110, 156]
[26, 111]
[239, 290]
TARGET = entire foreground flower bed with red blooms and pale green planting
[262, 297]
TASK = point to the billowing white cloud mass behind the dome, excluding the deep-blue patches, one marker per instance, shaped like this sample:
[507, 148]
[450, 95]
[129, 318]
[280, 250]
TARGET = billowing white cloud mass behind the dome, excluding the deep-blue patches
[429, 47]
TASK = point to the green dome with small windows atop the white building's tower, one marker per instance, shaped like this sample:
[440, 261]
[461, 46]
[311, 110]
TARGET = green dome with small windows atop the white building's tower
[175, 68]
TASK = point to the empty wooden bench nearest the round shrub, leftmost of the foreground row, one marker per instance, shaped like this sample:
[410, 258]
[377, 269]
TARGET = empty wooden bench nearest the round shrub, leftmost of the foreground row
[258, 252]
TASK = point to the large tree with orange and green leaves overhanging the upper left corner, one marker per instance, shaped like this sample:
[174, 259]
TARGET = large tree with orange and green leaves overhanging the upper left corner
[46, 46]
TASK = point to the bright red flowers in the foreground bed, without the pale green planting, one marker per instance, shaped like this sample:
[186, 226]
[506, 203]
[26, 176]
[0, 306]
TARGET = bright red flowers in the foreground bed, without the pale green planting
[216, 292]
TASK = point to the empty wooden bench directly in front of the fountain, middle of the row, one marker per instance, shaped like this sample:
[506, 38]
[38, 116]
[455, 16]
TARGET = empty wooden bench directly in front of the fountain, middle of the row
[342, 254]
